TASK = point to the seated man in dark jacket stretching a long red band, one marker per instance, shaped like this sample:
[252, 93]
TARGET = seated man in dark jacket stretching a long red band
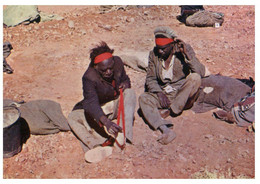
[91, 118]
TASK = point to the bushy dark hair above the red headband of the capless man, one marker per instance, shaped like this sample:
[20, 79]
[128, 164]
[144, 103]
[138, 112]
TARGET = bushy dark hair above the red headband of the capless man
[99, 49]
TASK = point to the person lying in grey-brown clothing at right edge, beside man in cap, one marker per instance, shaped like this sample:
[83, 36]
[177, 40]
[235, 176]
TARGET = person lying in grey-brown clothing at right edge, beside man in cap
[235, 98]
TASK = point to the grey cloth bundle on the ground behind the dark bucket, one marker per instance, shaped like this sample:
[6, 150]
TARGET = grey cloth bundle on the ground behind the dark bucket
[42, 116]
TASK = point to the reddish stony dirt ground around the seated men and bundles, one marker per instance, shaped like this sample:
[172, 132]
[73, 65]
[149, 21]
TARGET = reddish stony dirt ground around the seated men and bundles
[50, 58]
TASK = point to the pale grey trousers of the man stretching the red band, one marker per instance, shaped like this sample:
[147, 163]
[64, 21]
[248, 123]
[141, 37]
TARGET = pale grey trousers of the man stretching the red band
[90, 136]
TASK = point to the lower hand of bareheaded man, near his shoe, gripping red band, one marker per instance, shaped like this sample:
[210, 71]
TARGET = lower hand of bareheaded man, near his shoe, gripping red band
[111, 128]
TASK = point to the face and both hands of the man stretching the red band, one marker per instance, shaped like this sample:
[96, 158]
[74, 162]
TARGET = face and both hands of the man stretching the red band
[106, 71]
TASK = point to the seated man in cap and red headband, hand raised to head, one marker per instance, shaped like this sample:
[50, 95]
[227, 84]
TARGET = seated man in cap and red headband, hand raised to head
[172, 81]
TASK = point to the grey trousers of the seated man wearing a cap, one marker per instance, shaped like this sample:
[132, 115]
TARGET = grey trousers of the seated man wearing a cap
[149, 102]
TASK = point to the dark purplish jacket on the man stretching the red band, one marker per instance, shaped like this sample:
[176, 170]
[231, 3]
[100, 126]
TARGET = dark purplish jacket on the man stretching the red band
[97, 91]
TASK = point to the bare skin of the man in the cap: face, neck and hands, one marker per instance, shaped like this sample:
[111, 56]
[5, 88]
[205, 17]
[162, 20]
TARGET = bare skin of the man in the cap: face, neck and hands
[166, 52]
